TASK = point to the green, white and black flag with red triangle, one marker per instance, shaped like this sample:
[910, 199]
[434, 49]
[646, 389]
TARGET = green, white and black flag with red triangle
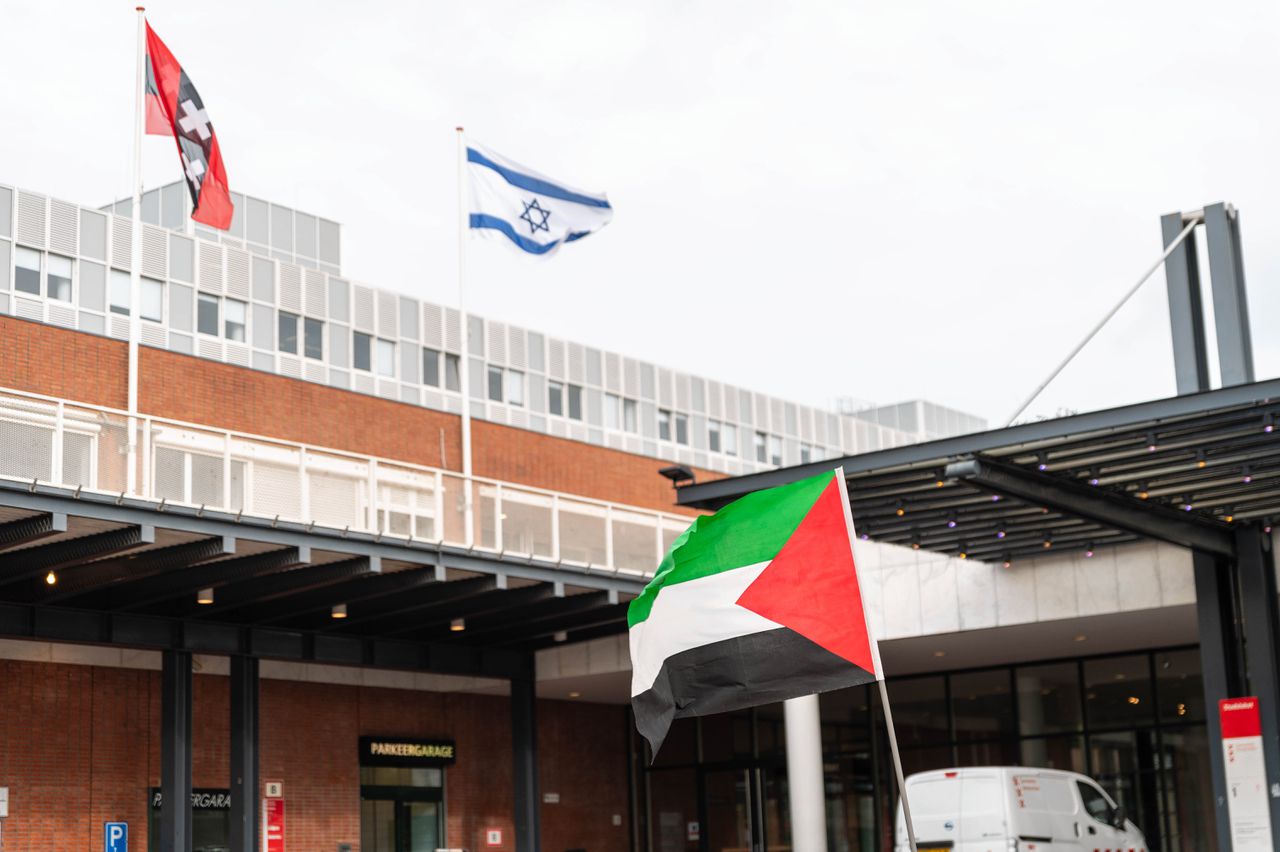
[755, 604]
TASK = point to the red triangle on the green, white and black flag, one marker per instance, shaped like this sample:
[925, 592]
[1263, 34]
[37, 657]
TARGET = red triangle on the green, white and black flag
[812, 585]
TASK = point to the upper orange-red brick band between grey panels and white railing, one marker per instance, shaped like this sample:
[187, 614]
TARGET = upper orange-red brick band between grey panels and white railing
[85, 368]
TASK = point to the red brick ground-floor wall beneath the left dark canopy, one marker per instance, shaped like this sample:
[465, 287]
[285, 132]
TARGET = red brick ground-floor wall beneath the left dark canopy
[81, 746]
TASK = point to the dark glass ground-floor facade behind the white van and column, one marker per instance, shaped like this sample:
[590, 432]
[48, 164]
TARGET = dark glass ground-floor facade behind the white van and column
[1133, 722]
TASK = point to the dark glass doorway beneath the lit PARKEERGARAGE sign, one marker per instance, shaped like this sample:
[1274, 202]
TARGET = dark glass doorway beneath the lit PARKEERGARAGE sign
[401, 809]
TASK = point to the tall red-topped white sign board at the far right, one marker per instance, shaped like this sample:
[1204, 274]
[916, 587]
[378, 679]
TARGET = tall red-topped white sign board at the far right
[1249, 809]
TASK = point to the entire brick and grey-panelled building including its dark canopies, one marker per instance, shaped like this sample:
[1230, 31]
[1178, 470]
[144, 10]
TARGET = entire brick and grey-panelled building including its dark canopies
[262, 593]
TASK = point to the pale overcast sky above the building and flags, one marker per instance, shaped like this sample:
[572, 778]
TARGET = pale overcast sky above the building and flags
[815, 200]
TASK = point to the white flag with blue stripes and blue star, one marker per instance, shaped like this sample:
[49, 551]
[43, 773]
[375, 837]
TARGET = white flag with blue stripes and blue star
[534, 213]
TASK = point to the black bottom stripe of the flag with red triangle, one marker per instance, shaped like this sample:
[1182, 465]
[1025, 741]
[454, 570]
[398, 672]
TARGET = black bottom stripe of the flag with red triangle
[743, 672]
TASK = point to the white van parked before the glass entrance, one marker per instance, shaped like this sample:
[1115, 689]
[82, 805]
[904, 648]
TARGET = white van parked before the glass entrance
[1007, 809]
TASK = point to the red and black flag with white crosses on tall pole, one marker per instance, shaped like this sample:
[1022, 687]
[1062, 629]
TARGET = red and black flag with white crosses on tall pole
[175, 108]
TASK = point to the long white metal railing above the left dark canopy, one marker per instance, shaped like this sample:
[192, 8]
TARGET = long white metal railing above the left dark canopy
[71, 445]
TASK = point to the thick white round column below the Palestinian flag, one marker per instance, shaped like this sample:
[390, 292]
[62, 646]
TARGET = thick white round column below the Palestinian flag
[806, 782]
